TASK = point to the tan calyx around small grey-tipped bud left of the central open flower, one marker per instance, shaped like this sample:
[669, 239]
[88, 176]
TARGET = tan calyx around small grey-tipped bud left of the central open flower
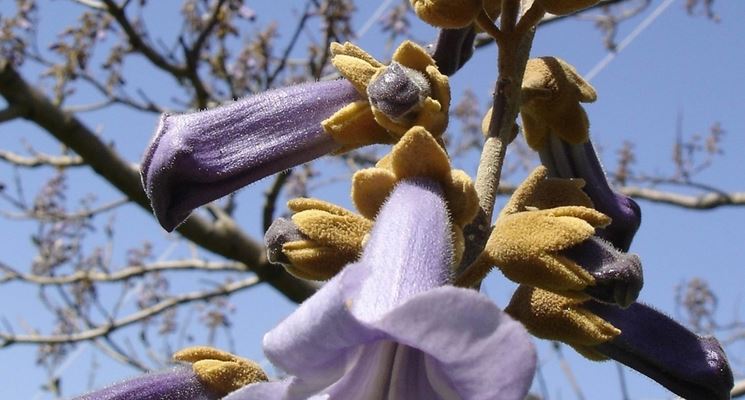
[334, 238]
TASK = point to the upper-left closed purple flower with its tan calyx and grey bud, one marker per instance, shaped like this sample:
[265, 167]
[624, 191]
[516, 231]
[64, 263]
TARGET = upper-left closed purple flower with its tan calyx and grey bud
[199, 157]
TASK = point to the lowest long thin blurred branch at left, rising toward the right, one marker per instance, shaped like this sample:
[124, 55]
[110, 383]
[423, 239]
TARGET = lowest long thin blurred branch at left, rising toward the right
[145, 313]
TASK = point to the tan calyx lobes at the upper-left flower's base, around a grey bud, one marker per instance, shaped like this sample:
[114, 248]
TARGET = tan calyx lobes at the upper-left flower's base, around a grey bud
[359, 123]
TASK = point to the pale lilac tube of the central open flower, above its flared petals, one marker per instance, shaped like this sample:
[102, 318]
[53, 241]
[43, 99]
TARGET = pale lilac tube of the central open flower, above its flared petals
[409, 250]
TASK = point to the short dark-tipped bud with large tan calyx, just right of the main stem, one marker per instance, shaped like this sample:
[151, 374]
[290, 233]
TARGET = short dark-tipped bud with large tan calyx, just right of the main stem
[544, 237]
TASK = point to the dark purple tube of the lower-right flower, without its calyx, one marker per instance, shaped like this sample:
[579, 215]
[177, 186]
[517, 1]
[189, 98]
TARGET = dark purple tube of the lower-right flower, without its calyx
[688, 365]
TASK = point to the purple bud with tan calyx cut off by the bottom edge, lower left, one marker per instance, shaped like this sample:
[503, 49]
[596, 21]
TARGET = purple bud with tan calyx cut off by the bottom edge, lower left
[213, 374]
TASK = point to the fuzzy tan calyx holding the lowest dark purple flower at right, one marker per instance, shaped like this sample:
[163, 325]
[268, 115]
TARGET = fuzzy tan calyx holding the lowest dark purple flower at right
[553, 316]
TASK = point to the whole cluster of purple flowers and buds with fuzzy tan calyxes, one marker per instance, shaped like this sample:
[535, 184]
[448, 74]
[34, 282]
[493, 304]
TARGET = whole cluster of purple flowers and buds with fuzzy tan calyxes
[398, 317]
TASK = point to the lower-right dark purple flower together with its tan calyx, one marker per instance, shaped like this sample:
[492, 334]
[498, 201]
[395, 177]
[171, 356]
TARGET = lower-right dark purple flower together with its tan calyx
[689, 365]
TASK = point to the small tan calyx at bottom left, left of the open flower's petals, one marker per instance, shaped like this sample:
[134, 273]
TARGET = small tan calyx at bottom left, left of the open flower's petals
[219, 370]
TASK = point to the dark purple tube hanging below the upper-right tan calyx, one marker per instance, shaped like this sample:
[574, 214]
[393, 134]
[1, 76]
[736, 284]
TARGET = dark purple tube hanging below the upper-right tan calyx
[565, 160]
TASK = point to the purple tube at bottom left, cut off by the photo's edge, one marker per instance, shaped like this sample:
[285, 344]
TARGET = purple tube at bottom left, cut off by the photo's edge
[176, 384]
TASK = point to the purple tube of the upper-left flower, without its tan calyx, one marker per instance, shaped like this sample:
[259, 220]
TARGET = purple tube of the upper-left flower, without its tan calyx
[199, 157]
